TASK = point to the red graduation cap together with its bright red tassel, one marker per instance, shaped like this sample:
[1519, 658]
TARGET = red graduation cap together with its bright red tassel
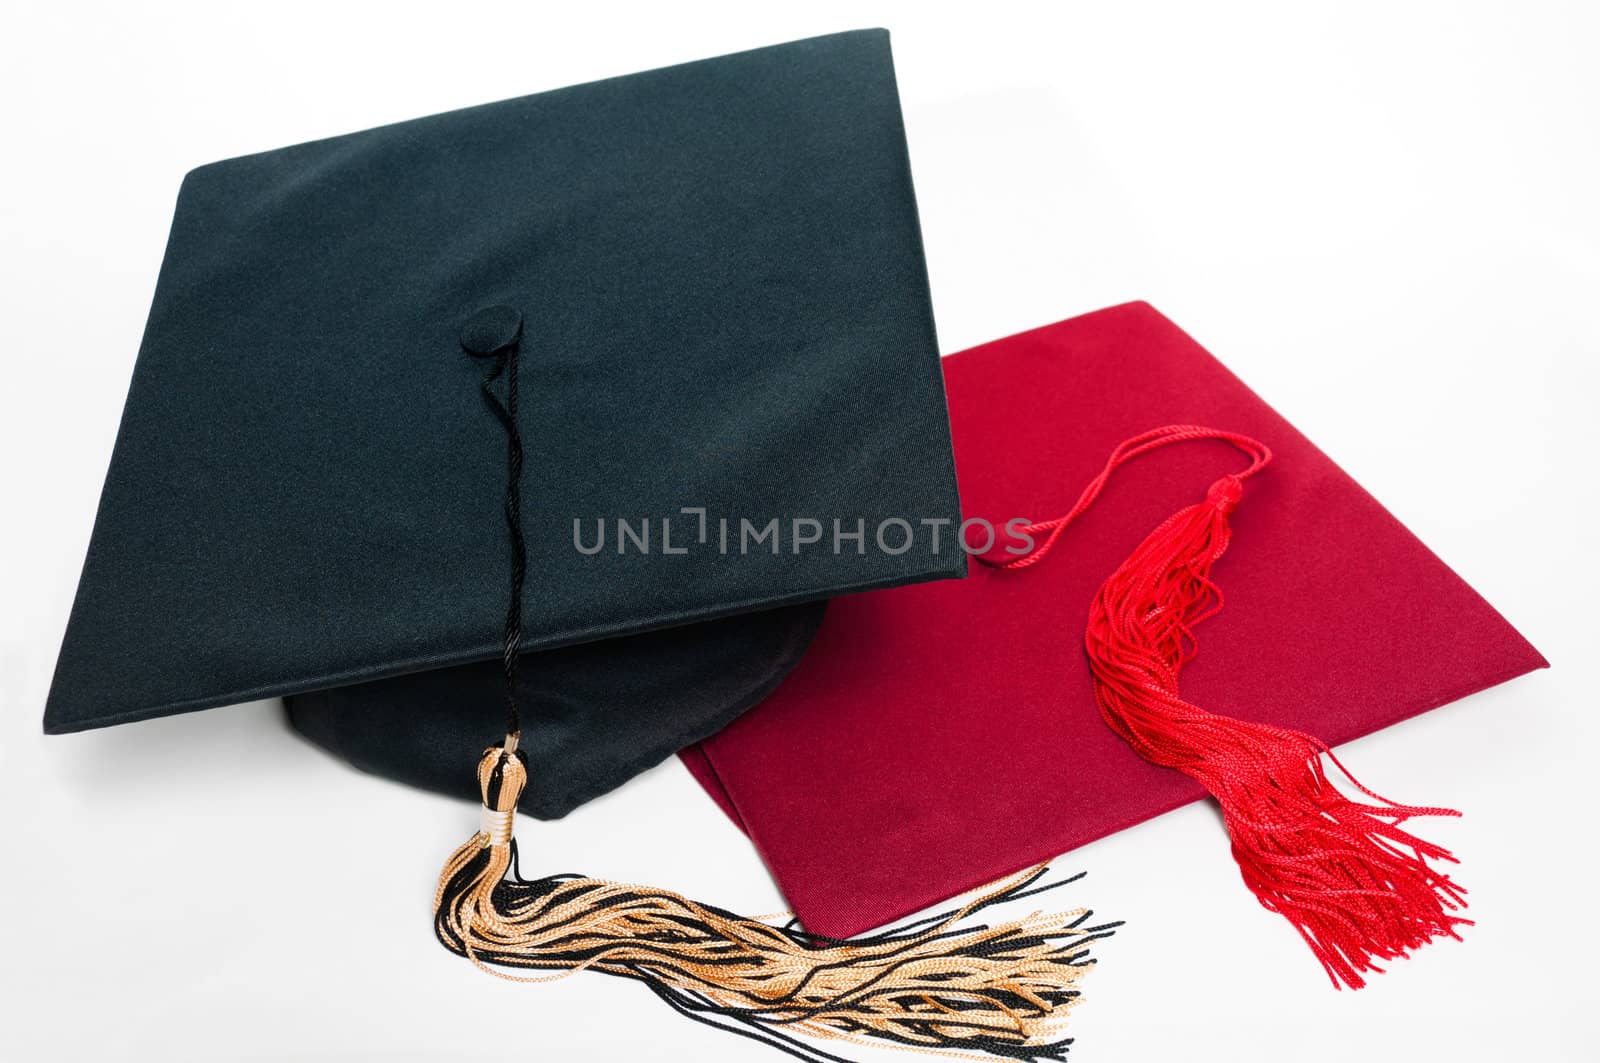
[951, 731]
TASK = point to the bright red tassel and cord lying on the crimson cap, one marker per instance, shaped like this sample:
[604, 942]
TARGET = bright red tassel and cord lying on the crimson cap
[1356, 884]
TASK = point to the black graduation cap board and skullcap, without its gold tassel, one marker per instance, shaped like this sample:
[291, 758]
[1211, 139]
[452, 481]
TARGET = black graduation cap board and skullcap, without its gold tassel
[724, 305]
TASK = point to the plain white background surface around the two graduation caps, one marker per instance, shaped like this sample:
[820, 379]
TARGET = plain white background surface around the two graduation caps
[1382, 215]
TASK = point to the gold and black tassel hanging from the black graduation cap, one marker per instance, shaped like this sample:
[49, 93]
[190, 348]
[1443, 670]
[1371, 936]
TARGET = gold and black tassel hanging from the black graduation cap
[930, 985]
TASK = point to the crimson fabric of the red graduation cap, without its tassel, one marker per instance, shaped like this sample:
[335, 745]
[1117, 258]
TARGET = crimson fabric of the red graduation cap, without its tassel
[942, 736]
